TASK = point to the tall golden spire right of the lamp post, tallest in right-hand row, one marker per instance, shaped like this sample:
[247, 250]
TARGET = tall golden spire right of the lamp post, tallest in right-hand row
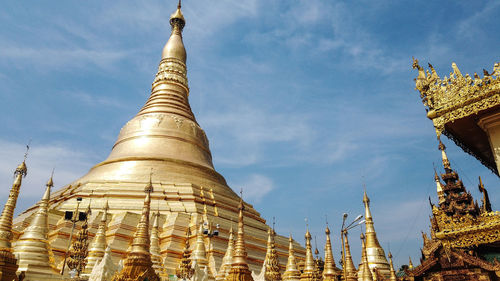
[374, 252]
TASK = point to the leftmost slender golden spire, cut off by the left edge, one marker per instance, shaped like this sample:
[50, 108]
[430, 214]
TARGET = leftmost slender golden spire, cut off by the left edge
[8, 262]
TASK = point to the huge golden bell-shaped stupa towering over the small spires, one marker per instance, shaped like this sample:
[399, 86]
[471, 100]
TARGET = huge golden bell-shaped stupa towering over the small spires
[165, 142]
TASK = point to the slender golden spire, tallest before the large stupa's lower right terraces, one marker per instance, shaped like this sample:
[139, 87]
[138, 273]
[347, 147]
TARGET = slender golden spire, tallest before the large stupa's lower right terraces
[239, 268]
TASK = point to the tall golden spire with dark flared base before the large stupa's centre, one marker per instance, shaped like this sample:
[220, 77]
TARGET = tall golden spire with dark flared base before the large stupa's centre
[138, 261]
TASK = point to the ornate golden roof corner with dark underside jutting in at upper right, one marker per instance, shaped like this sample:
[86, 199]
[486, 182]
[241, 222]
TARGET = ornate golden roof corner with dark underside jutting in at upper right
[465, 108]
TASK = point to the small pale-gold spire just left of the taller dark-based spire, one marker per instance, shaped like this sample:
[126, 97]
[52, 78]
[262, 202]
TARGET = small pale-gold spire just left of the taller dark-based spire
[99, 245]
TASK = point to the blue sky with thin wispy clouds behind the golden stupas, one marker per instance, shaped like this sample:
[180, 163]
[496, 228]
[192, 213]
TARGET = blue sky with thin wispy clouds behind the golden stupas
[301, 100]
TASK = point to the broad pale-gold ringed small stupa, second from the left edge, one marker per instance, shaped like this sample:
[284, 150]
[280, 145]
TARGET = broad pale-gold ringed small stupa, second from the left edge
[32, 249]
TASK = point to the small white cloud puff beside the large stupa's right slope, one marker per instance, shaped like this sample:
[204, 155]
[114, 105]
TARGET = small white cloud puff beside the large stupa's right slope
[255, 187]
